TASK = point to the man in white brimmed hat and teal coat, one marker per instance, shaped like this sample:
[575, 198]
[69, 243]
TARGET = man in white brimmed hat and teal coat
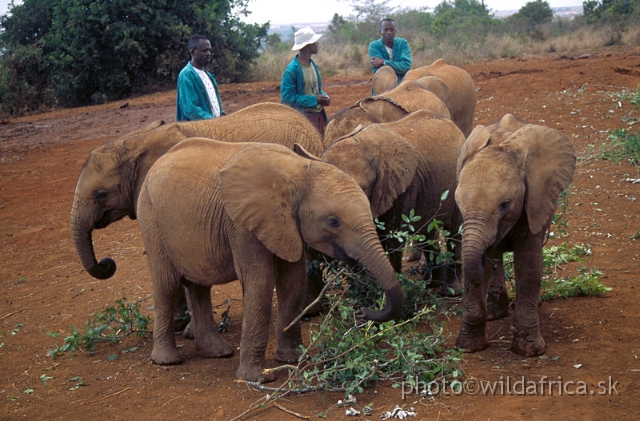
[301, 86]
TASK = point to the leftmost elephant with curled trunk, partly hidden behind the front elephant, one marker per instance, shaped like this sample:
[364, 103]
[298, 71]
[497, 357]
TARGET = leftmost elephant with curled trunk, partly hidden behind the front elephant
[110, 180]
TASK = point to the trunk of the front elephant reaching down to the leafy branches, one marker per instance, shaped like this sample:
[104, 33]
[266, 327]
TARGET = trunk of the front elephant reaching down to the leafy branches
[377, 263]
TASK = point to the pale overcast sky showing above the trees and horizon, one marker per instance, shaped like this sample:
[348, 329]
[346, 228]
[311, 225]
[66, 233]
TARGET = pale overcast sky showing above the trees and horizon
[296, 11]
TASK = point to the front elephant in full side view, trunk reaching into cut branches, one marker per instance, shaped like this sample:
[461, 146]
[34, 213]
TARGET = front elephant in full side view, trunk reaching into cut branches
[212, 212]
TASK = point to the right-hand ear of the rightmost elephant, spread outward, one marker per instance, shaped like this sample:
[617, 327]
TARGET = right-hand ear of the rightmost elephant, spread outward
[550, 162]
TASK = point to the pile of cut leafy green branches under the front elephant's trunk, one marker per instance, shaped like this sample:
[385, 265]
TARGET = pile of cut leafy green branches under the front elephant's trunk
[347, 355]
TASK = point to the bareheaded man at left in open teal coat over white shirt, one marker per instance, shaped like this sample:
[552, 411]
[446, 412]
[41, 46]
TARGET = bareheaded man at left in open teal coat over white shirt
[197, 96]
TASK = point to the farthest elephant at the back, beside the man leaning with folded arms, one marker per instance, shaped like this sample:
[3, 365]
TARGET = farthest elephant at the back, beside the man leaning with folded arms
[462, 98]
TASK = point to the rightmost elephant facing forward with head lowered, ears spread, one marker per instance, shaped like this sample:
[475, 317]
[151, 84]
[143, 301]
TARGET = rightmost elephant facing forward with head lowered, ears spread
[509, 182]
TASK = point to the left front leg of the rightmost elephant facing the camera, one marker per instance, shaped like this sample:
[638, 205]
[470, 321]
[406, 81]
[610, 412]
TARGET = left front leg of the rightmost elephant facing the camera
[472, 336]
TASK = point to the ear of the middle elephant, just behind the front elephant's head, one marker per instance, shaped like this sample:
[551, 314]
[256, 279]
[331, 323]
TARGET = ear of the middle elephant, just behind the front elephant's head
[397, 162]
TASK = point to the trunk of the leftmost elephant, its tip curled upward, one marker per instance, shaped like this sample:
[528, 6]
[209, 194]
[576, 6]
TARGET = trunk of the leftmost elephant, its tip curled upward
[81, 229]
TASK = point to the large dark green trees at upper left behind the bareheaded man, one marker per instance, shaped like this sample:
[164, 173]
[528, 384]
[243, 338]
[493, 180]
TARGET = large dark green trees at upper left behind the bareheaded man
[92, 51]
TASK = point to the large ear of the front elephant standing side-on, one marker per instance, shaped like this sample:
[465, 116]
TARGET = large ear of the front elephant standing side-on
[257, 188]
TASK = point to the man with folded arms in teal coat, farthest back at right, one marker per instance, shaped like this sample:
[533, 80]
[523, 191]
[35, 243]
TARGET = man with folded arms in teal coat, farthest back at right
[390, 50]
